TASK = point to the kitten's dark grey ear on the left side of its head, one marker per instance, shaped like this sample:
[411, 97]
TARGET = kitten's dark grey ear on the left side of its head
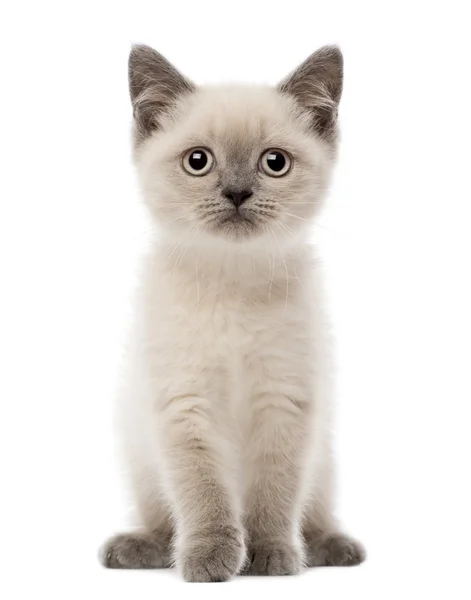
[154, 86]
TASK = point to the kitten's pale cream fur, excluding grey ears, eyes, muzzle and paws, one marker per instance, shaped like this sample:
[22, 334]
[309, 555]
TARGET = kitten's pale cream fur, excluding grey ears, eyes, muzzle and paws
[229, 344]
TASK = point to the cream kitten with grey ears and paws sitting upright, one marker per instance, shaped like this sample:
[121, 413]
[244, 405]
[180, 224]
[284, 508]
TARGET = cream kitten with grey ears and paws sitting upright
[225, 409]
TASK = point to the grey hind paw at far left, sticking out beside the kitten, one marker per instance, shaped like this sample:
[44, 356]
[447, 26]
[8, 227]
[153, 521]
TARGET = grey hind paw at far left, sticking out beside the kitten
[133, 551]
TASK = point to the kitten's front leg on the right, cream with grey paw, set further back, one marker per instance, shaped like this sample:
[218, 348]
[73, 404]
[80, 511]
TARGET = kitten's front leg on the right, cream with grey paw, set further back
[277, 452]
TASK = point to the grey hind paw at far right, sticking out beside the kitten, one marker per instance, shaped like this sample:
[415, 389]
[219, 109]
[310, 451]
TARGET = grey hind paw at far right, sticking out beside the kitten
[335, 550]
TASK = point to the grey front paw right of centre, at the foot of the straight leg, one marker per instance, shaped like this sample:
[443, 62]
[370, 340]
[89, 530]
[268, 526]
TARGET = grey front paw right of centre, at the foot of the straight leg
[273, 557]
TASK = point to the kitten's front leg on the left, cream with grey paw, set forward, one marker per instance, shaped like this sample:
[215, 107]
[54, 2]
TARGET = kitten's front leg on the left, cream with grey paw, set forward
[209, 534]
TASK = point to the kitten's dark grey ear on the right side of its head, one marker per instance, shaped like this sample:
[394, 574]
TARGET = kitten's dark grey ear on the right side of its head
[317, 86]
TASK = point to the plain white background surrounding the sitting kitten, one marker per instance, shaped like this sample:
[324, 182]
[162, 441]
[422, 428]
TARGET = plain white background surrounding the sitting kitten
[397, 248]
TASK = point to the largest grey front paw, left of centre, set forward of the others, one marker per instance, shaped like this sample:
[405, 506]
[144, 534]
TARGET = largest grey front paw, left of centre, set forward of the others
[212, 556]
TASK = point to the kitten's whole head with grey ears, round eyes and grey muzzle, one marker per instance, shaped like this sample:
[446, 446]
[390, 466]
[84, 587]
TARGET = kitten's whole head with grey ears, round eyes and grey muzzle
[234, 163]
